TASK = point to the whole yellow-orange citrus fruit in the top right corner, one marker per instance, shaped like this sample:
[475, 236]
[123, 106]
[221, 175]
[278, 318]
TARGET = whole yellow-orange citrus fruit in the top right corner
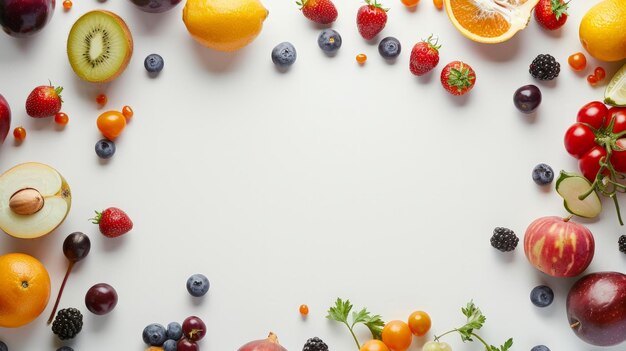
[603, 30]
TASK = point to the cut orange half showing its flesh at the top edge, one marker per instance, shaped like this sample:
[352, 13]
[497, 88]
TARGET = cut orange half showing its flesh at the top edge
[490, 21]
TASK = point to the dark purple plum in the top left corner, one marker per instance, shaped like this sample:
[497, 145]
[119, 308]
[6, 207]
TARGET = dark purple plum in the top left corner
[22, 18]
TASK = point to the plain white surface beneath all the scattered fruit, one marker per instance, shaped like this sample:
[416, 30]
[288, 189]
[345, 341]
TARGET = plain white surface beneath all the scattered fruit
[330, 180]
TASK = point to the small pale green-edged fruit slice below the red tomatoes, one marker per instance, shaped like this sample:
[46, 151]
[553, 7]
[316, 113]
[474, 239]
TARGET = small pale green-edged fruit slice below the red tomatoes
[571, 187]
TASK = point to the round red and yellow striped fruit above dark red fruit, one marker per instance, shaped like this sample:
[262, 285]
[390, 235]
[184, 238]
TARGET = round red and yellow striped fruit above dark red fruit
[558, 246]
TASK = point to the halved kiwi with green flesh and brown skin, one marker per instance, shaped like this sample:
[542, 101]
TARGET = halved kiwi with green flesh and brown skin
[99, 46]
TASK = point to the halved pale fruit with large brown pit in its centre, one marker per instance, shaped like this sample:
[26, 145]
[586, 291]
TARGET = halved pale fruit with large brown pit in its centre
[34, 200]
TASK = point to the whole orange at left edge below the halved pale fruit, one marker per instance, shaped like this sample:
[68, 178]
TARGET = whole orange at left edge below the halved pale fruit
[24, 289]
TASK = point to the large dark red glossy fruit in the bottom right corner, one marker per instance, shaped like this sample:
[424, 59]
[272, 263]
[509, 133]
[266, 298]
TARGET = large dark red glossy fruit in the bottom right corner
[596, 308]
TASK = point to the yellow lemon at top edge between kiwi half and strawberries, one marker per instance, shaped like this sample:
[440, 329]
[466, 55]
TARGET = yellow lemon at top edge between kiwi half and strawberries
[224, 25]
